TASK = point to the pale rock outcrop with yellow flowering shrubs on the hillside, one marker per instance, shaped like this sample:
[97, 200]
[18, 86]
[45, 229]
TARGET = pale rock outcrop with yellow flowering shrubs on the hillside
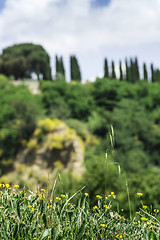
[53, 145]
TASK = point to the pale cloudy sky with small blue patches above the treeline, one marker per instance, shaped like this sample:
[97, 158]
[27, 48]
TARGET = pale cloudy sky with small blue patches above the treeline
[90, 29]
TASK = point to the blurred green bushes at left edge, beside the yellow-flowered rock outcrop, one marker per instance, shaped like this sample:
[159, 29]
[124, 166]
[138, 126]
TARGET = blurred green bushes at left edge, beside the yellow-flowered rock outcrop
[19, 111]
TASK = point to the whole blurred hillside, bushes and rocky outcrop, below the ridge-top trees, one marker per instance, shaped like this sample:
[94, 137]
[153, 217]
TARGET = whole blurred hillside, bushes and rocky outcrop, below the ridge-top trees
[91, 109]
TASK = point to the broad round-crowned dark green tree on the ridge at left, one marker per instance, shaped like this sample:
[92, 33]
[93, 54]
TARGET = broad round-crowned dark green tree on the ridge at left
[22, 60]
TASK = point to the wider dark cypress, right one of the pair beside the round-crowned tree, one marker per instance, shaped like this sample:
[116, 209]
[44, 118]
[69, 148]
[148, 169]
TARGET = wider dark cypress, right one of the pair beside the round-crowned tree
[75, 70]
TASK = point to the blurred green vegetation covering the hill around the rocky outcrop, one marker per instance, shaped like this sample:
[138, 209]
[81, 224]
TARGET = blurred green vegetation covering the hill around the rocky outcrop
[132, 107]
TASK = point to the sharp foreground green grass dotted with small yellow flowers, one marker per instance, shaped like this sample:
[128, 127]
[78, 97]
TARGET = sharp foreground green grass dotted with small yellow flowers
[27, 215]
